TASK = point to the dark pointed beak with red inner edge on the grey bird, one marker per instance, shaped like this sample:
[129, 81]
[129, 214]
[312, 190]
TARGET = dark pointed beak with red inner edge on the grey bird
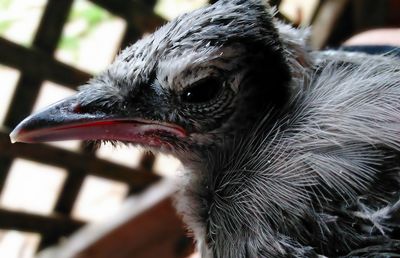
[66, 121]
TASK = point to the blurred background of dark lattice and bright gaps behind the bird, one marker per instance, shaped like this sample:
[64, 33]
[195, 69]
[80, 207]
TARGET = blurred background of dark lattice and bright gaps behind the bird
[116, 201]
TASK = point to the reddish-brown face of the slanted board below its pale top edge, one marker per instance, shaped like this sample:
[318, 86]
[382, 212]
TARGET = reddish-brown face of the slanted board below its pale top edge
[158, 232]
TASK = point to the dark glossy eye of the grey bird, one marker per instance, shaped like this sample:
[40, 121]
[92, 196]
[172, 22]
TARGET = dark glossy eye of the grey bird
[202, 91]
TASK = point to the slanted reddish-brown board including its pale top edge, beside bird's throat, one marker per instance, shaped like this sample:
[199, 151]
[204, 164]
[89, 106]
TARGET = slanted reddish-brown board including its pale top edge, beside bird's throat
[146, 227]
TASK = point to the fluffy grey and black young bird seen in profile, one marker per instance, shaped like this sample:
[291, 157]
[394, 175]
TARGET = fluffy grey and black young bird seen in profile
[287, 151]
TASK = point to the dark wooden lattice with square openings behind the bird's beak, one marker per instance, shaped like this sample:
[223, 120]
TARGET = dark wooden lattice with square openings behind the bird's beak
[37, 64]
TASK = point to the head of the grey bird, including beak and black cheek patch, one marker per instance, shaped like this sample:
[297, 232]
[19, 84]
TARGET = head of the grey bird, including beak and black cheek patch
[198, 81]
